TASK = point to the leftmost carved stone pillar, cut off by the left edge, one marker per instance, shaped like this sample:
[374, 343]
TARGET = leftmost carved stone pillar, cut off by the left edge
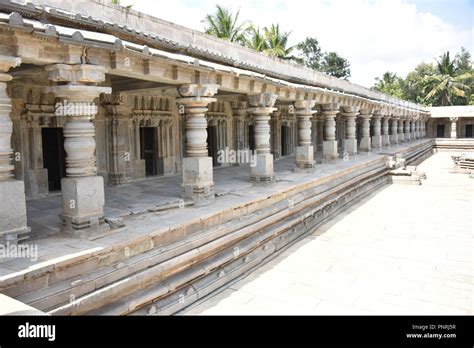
[12, 192]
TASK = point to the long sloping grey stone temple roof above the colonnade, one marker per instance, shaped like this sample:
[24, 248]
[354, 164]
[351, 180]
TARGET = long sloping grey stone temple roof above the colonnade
[105, 23]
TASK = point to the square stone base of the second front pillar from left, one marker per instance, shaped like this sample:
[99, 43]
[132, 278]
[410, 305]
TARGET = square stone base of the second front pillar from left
[83, 202]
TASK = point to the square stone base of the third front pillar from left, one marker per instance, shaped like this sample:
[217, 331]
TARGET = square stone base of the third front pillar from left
[198, 182]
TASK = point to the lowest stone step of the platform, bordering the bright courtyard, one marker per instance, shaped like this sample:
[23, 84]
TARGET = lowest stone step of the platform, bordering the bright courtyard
[156, 300]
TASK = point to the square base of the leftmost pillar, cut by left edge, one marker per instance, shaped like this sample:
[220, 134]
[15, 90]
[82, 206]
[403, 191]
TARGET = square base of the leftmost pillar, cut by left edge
[12, 212]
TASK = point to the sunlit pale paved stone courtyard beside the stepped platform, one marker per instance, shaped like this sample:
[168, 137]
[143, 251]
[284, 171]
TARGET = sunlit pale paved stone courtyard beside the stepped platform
[373, 259]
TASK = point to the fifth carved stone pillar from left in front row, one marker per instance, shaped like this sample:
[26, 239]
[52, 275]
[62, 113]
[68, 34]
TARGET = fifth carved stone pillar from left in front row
[304, 150]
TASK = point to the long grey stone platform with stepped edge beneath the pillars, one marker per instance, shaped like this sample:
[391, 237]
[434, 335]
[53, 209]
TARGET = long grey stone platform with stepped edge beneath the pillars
[170, 254]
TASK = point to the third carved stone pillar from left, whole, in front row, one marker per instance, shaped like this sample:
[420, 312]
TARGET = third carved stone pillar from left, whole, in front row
[198, 181]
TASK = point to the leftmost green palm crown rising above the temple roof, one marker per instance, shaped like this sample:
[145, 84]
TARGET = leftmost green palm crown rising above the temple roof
[224, 24]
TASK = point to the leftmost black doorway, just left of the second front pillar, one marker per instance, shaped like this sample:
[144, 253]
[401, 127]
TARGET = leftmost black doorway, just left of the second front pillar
[54, 156]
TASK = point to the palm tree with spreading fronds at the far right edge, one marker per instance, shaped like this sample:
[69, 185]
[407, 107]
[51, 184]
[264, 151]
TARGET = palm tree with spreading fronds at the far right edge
[446, 83]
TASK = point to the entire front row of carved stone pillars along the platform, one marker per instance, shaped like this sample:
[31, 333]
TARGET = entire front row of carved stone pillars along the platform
[83, 190]
